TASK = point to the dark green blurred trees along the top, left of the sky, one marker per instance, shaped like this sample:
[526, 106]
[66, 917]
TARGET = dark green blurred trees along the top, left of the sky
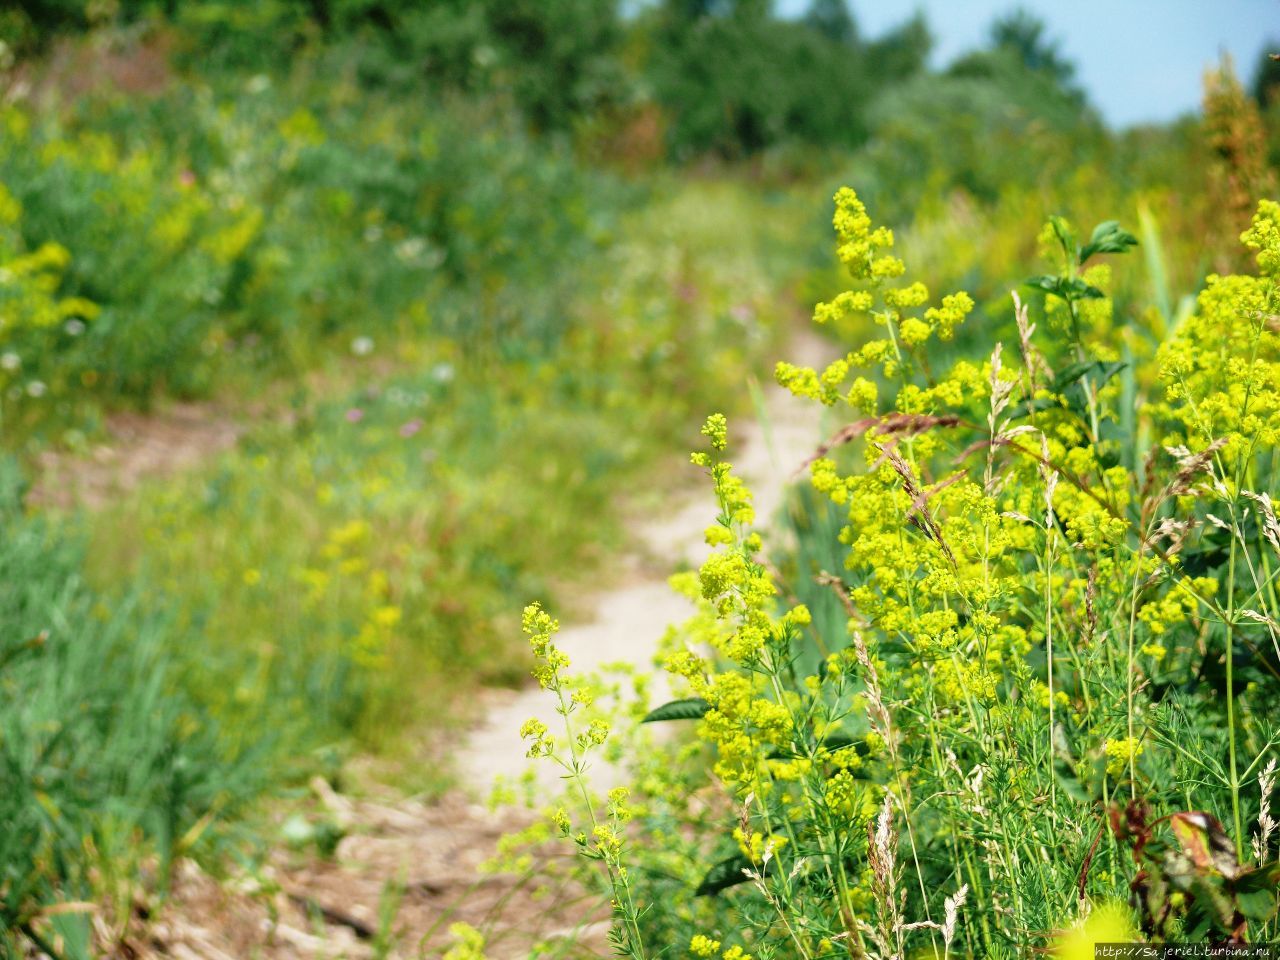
[732, 77]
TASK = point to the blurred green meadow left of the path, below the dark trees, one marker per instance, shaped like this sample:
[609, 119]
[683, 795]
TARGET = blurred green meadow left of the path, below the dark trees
[459, 353]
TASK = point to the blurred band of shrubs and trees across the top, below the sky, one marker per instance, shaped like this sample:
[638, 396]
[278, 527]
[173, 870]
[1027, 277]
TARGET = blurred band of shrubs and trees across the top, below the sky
[249, 150]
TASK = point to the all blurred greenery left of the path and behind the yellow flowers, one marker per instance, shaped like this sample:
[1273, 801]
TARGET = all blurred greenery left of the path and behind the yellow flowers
[424, 254]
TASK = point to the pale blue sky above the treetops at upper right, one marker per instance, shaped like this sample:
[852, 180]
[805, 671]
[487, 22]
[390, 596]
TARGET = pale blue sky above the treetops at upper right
[1140, 61]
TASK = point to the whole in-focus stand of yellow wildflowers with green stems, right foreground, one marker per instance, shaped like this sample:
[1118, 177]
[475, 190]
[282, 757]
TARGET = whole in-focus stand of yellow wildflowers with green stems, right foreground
[993, 696]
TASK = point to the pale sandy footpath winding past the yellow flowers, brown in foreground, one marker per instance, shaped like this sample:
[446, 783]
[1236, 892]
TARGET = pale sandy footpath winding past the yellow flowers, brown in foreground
[437, 849]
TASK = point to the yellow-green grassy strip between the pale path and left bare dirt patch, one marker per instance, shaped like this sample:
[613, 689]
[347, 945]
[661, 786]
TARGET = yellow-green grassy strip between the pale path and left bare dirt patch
[349, 575]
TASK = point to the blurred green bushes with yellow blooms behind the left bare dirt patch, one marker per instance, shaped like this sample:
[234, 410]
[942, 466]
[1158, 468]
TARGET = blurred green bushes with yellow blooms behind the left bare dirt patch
[266, 226]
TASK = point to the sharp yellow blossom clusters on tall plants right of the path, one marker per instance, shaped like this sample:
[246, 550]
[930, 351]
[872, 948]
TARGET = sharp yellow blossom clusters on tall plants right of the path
[1016, 577]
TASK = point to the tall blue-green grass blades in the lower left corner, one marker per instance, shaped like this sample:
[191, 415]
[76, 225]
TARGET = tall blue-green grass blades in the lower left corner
[109, 767]
